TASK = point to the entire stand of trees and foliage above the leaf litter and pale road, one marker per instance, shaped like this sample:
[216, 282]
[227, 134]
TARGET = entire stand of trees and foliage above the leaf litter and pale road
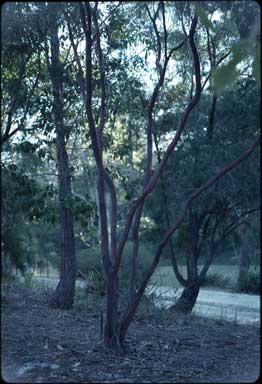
[129, 143]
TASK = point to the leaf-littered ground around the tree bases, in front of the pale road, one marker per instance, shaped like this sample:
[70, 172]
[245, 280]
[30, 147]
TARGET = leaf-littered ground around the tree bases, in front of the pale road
[42, 345]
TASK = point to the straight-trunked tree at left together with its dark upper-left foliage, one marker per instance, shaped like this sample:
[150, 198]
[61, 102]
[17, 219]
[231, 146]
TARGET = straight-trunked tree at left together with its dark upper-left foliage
[35, 27]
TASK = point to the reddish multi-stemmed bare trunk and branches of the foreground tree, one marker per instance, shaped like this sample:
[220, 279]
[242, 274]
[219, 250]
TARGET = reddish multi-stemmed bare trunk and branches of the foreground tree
[116, 325]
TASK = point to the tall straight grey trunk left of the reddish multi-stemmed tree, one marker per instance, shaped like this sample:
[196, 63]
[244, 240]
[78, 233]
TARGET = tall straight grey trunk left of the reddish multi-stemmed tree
[64, 294]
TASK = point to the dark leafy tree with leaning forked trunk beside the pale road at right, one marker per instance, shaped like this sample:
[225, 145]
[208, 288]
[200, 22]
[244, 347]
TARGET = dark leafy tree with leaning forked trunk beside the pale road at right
[210, 219]
